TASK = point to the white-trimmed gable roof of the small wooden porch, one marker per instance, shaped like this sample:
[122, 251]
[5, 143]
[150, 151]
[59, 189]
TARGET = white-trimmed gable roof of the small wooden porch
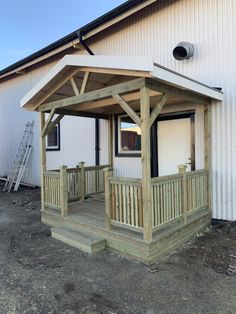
[141, 66]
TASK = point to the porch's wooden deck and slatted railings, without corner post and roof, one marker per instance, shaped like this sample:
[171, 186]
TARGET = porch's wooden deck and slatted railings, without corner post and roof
[180, 208]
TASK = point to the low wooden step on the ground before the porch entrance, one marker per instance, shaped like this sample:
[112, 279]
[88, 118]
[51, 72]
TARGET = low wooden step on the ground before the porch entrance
[82, 240]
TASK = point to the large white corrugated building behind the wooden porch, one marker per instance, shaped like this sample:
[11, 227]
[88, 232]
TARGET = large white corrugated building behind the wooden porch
[149, 28]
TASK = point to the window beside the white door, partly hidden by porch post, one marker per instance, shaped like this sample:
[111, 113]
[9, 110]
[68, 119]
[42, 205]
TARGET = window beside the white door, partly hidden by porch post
[128, 137]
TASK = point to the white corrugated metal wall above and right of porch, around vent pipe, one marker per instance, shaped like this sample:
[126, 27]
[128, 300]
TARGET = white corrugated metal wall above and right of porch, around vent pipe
[210, 25]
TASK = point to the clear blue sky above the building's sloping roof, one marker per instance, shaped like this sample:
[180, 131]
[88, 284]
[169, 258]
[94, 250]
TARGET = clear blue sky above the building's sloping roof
[29, 25]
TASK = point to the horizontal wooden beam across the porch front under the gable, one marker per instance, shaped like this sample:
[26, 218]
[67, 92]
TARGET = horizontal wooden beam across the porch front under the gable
[94, 95]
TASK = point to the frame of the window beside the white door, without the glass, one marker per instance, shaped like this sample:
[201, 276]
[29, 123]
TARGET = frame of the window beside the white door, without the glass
[118, 151]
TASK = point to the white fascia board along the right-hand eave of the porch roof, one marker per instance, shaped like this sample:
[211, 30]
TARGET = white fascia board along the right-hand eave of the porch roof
[183, 82]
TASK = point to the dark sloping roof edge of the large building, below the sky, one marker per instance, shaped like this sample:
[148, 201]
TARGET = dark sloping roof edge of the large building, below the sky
[130, 6]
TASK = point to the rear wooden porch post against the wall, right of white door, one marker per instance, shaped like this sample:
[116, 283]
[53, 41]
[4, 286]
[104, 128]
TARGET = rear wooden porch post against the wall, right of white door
[207, 149]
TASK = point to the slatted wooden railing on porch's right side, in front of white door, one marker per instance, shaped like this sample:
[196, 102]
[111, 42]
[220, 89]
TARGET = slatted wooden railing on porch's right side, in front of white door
[177, 195]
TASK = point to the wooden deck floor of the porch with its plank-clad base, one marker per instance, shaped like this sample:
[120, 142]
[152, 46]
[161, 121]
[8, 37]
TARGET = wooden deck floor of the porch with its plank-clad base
[89, 215]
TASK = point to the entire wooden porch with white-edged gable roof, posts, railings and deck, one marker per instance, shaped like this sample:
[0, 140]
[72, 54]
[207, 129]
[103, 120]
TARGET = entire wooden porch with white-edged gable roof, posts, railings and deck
[143, 217]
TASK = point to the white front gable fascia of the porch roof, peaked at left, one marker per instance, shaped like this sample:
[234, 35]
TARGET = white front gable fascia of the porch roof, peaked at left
[112, 62]
